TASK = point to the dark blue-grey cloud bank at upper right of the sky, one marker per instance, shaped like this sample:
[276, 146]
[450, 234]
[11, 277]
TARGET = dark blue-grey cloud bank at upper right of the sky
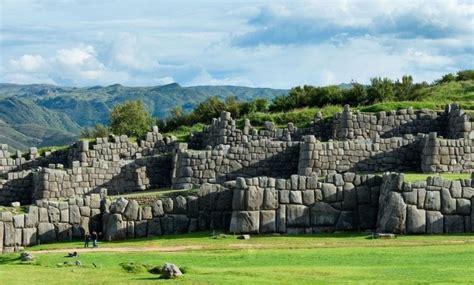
[315, 22]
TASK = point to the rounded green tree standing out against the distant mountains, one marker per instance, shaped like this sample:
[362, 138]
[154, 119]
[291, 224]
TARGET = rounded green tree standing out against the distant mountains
[130, 118]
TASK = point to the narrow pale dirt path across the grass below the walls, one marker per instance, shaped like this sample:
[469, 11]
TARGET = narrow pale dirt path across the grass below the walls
[124, 249]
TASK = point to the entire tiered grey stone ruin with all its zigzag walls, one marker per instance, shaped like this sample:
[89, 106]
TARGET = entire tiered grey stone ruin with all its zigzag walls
[323, 178]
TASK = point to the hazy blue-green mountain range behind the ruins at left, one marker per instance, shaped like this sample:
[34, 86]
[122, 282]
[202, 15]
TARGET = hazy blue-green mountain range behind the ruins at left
[43, 114]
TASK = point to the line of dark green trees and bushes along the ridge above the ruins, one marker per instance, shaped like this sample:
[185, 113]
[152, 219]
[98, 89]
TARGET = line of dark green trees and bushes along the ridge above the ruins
[131, 118]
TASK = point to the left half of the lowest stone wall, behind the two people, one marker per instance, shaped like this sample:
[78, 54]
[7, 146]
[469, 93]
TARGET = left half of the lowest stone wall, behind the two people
[64, 220]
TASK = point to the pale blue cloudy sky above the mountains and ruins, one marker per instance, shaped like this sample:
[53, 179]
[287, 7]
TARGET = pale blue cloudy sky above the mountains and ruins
[278, 44]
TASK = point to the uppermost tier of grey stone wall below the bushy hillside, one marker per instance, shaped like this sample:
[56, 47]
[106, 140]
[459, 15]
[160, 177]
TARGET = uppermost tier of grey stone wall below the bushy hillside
[347, 125]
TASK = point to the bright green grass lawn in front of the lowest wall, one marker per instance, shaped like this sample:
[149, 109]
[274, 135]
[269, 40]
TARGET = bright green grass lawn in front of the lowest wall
[305, 259]
